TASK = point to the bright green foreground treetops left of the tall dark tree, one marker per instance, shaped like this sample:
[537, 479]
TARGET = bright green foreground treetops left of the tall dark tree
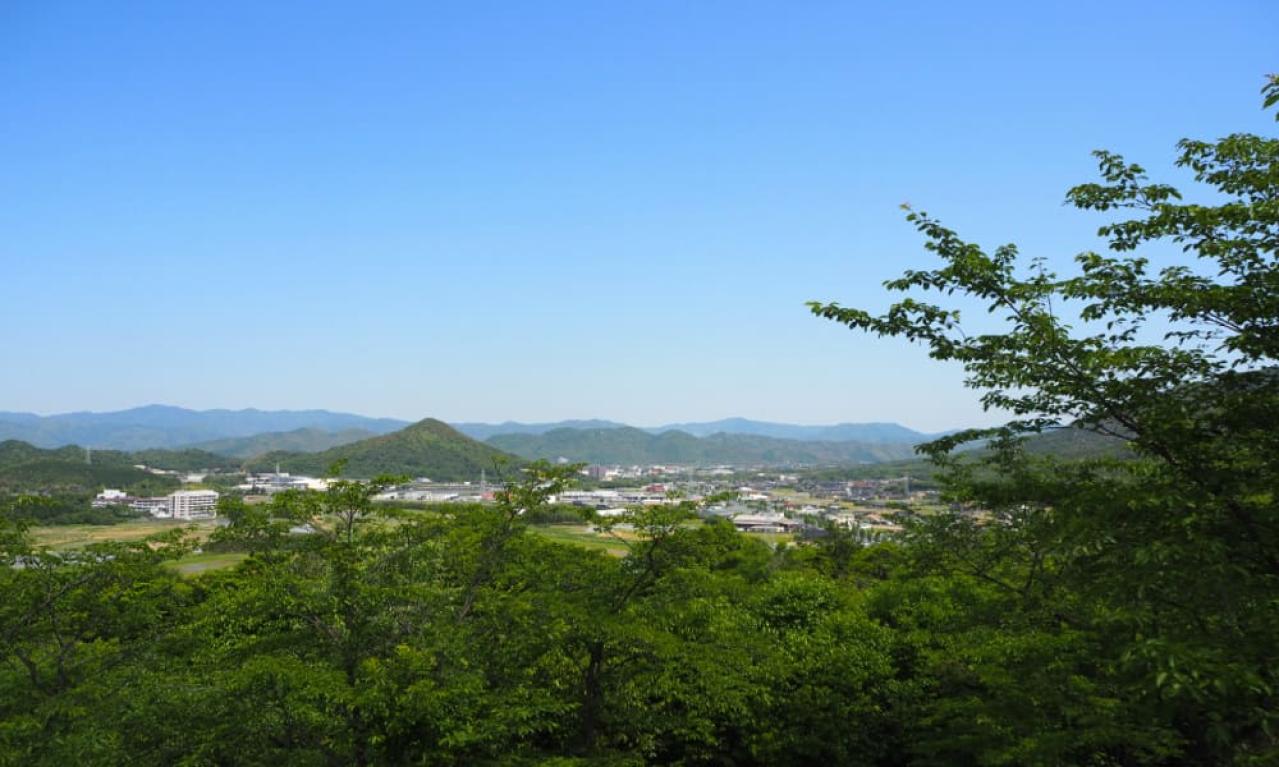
[392, 637]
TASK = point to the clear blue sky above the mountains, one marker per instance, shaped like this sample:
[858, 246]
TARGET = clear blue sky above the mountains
[485, 212]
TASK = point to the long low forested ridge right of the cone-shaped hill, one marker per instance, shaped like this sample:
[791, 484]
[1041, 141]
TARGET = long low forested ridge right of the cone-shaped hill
[627, 445]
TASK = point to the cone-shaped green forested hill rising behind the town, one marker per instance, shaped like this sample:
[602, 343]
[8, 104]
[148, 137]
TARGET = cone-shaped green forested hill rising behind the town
[429, 448]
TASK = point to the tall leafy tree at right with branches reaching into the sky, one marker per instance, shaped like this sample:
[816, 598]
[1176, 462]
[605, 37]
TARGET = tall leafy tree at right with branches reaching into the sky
[1161, 575]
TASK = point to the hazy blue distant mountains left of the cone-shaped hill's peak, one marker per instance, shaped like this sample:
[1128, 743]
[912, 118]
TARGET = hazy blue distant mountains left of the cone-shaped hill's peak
[164, 426]
